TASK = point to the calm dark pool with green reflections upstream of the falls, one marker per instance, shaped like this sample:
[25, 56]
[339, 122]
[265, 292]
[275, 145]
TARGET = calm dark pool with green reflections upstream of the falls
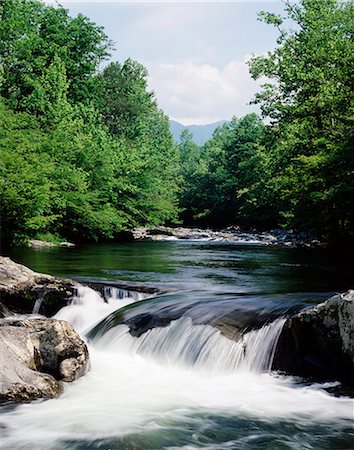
[219, 266]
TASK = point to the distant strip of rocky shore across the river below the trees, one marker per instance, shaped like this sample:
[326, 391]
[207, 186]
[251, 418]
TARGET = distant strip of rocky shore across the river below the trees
[280, 238]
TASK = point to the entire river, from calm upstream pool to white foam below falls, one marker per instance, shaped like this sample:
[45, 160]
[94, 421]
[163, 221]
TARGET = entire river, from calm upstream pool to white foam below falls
[185, 385]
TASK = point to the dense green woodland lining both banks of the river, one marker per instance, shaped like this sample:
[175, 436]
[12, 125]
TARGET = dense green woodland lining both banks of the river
[86, 152]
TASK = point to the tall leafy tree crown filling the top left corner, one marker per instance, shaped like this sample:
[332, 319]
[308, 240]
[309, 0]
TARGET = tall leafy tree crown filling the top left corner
[32, 34]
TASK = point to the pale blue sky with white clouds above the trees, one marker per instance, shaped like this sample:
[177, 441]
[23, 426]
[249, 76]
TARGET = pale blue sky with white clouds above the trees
[195, 52]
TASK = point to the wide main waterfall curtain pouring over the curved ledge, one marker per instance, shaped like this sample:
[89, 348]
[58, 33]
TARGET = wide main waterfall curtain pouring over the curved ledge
[201, 346]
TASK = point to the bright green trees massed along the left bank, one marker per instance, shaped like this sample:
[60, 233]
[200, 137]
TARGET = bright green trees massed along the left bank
[85, 153]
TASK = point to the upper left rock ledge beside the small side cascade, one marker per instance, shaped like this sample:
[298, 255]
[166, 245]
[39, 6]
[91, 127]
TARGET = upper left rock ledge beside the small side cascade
[25, 291]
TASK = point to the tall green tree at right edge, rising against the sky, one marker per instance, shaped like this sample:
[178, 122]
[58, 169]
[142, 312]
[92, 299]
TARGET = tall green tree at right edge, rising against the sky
[311, 106]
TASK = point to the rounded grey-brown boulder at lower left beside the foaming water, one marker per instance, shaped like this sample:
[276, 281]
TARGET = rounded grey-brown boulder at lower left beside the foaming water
[36, 355]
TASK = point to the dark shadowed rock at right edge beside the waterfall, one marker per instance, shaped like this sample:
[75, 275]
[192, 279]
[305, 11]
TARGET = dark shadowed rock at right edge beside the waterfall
[318, 343]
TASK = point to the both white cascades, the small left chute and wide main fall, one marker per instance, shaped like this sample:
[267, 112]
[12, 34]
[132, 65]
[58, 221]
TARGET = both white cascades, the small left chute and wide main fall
[182, 342]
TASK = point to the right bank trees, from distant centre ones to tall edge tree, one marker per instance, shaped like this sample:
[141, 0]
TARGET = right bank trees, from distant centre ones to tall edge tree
[298, 170]
